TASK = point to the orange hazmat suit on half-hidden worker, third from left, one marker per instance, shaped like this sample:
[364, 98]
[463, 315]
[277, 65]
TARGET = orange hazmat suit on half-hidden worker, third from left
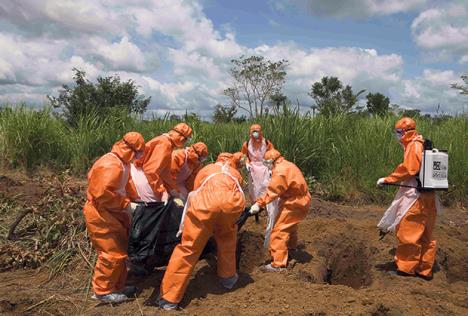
[185, 165]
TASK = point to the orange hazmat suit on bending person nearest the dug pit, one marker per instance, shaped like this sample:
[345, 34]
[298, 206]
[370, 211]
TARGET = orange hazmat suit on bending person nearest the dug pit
[288, 184]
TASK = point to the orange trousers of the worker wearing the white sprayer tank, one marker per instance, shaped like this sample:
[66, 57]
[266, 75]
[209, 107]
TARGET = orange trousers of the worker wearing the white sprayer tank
[416, 251]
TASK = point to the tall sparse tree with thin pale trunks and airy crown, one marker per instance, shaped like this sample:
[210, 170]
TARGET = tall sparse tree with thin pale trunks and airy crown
[255, 80]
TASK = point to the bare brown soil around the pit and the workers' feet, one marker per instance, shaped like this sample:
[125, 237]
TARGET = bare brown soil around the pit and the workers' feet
[340, 268]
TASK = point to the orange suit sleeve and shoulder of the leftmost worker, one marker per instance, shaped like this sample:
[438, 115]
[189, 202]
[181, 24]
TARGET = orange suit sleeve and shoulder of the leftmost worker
[104, 181]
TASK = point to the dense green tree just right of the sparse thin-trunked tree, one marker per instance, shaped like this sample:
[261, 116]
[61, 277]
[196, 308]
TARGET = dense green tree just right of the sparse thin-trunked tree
[331, 98]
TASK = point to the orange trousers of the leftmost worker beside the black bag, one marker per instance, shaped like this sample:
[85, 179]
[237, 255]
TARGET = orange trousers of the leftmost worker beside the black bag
[110, 240]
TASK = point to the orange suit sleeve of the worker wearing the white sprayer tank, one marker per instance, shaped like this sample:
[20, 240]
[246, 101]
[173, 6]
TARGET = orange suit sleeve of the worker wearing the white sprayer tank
[411, 163]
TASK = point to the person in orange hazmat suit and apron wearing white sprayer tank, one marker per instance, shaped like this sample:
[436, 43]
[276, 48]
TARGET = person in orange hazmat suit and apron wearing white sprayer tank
[415, 212]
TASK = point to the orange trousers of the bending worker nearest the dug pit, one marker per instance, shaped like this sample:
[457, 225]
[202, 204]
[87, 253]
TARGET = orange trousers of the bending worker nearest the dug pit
[284, 234]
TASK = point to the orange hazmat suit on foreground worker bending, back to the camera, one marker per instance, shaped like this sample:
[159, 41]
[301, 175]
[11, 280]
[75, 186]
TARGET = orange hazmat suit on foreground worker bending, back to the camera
[213, 209]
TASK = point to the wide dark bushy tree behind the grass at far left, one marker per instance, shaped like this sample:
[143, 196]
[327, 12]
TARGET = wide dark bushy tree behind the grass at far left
[100, 98]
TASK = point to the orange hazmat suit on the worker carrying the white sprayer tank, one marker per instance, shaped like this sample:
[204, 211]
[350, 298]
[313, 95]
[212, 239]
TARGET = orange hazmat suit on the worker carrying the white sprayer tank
[416, 249]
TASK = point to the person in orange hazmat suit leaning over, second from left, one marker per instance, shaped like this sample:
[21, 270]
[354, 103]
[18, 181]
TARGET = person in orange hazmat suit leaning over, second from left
[151, 176]
